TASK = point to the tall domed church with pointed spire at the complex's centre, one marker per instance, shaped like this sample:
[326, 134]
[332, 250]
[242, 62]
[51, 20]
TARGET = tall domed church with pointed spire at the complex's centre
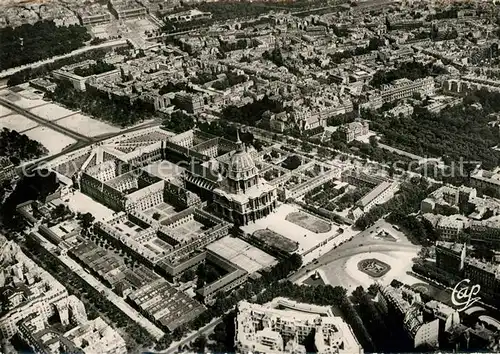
[242, 195]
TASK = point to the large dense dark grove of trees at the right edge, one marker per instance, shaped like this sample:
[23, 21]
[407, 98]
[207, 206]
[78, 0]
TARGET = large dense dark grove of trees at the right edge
[455, 133]
